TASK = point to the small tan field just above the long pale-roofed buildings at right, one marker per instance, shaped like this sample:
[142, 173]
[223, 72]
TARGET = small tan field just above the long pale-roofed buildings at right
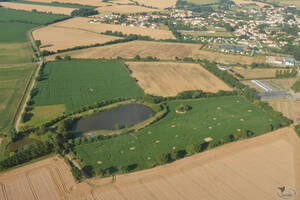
[249, 73]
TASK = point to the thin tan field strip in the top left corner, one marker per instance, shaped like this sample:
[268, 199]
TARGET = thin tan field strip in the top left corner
[39, 8]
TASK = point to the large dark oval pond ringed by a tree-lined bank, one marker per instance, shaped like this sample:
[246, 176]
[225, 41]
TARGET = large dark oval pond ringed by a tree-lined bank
[115, 118]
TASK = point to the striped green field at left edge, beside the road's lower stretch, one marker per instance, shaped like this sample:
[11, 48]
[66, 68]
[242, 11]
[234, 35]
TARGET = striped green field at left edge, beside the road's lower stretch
[12, 84]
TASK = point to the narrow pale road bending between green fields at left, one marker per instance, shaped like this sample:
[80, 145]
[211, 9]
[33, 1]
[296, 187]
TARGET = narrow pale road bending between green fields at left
[32, 83]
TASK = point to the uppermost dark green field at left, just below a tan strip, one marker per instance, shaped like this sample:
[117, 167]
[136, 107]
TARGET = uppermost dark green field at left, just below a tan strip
[9, 15]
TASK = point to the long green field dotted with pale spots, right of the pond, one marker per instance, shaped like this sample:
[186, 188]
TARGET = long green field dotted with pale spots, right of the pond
[213, 117]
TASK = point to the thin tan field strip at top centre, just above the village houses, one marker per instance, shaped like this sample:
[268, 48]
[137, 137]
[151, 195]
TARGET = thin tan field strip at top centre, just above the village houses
[124, 9]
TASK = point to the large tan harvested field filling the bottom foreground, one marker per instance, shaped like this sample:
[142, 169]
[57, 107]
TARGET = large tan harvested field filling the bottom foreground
[248, 169]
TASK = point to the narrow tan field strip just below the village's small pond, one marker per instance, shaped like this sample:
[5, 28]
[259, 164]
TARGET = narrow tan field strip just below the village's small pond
[228, 58]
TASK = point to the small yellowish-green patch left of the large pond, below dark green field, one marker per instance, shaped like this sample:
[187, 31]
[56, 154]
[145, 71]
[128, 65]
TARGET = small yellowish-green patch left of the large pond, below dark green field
[44, 114]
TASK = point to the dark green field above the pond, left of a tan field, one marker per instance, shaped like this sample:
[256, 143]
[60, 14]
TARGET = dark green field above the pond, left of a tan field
[79, 83]
